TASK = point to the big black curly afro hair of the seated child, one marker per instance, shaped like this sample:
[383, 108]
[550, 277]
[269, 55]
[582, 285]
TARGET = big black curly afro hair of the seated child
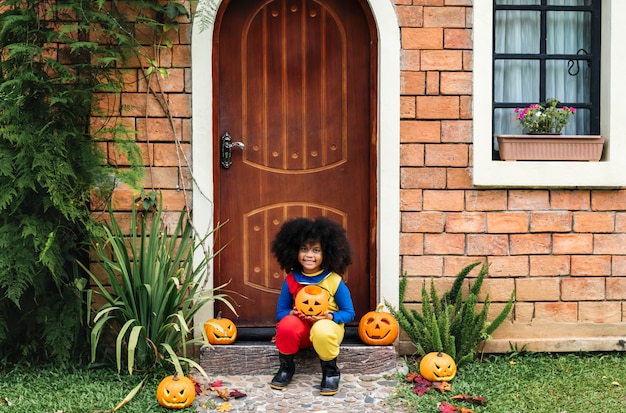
[336, 250]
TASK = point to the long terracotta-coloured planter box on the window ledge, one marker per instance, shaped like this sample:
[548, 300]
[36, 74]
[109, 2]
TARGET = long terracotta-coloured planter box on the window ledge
[550, 147]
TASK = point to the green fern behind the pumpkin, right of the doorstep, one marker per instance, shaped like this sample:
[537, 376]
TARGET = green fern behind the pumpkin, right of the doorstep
[450, 323]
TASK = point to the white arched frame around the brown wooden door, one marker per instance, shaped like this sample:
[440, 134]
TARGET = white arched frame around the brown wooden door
[388, 146]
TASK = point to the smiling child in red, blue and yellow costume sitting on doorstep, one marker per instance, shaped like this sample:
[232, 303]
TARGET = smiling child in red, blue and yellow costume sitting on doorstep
[313, 252]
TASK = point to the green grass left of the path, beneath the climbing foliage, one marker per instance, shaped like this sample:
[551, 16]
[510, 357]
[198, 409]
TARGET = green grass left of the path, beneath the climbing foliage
[76, 390]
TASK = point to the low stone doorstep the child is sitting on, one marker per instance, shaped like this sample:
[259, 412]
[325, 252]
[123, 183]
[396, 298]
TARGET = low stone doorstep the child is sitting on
[261, 358]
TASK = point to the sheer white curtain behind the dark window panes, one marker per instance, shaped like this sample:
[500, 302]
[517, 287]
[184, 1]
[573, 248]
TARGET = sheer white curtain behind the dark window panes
[518, 80]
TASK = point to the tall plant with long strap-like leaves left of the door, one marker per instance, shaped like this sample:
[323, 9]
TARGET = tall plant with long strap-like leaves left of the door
[153, 293]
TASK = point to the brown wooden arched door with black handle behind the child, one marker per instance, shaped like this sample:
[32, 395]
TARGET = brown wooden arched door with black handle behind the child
[295, 85]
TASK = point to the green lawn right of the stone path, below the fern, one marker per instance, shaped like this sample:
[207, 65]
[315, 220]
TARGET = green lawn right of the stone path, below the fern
[550, 383]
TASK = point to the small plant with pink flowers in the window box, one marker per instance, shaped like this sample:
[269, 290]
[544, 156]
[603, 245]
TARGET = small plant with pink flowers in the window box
[544, 118]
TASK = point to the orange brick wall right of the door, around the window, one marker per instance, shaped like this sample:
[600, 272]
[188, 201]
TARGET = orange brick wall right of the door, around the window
[561, 250]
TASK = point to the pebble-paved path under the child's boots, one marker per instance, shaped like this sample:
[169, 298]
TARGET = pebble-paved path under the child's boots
[357, 394]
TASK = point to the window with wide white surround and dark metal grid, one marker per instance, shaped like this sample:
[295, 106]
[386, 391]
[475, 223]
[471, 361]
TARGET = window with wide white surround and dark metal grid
[578, 62]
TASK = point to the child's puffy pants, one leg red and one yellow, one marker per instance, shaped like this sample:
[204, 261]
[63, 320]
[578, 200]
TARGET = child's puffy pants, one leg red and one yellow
[325, 336]
